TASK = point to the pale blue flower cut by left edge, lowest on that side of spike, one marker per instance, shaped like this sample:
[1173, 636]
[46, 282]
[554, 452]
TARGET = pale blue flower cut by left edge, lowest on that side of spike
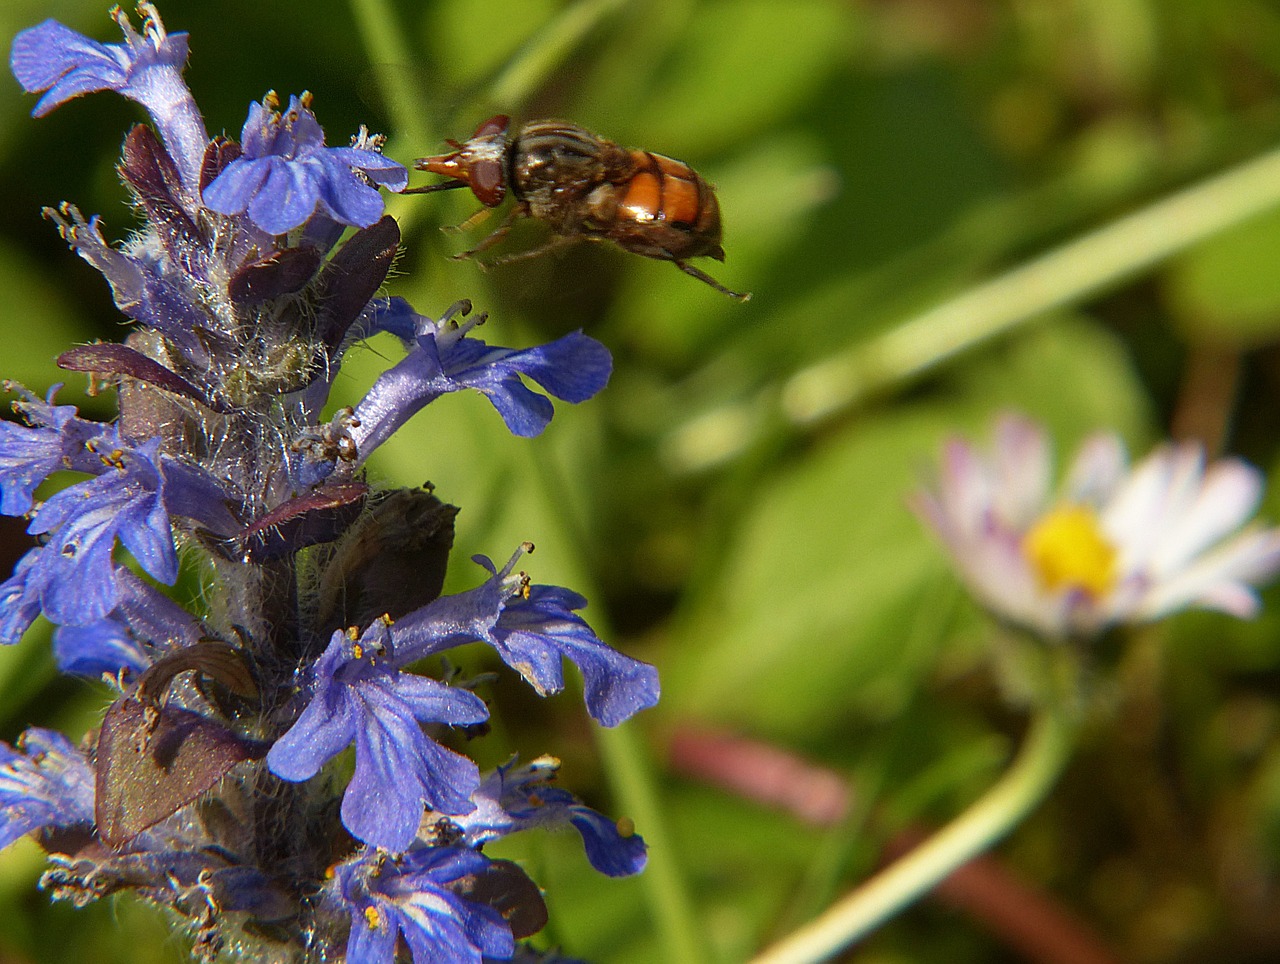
[44, 783]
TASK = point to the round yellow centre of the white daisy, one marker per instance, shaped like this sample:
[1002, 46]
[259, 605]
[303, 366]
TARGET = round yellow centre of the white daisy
[1068, 551]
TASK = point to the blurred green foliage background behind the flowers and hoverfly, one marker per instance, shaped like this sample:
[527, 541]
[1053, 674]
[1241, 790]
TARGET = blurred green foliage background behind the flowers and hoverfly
[734, 504]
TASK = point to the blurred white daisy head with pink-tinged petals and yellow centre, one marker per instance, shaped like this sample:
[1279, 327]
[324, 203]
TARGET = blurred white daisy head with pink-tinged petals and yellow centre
[1114, 545]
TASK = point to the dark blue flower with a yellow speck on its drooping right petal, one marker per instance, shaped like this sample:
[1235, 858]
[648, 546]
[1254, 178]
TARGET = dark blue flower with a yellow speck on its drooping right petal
[514, 798]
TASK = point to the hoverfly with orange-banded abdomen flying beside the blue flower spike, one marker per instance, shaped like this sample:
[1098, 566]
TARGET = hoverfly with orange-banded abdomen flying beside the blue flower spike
[584, 186]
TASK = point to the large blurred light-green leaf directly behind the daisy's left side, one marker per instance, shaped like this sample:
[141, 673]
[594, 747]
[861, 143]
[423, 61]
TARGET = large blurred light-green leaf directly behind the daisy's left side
[829, 602]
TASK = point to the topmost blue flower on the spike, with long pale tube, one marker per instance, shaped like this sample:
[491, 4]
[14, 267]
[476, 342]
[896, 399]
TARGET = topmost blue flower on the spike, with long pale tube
[147, 68]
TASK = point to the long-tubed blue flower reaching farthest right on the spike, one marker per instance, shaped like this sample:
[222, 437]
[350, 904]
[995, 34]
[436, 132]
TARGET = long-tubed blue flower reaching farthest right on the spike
[533, 628]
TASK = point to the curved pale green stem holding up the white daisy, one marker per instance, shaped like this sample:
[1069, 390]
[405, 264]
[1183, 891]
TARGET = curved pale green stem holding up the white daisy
[1039, 766]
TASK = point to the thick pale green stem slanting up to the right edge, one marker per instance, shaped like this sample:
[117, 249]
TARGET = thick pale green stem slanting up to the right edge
[1062, 277]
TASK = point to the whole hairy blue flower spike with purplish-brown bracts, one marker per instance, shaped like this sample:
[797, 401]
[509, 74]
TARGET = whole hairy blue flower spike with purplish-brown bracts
[301, 683]
